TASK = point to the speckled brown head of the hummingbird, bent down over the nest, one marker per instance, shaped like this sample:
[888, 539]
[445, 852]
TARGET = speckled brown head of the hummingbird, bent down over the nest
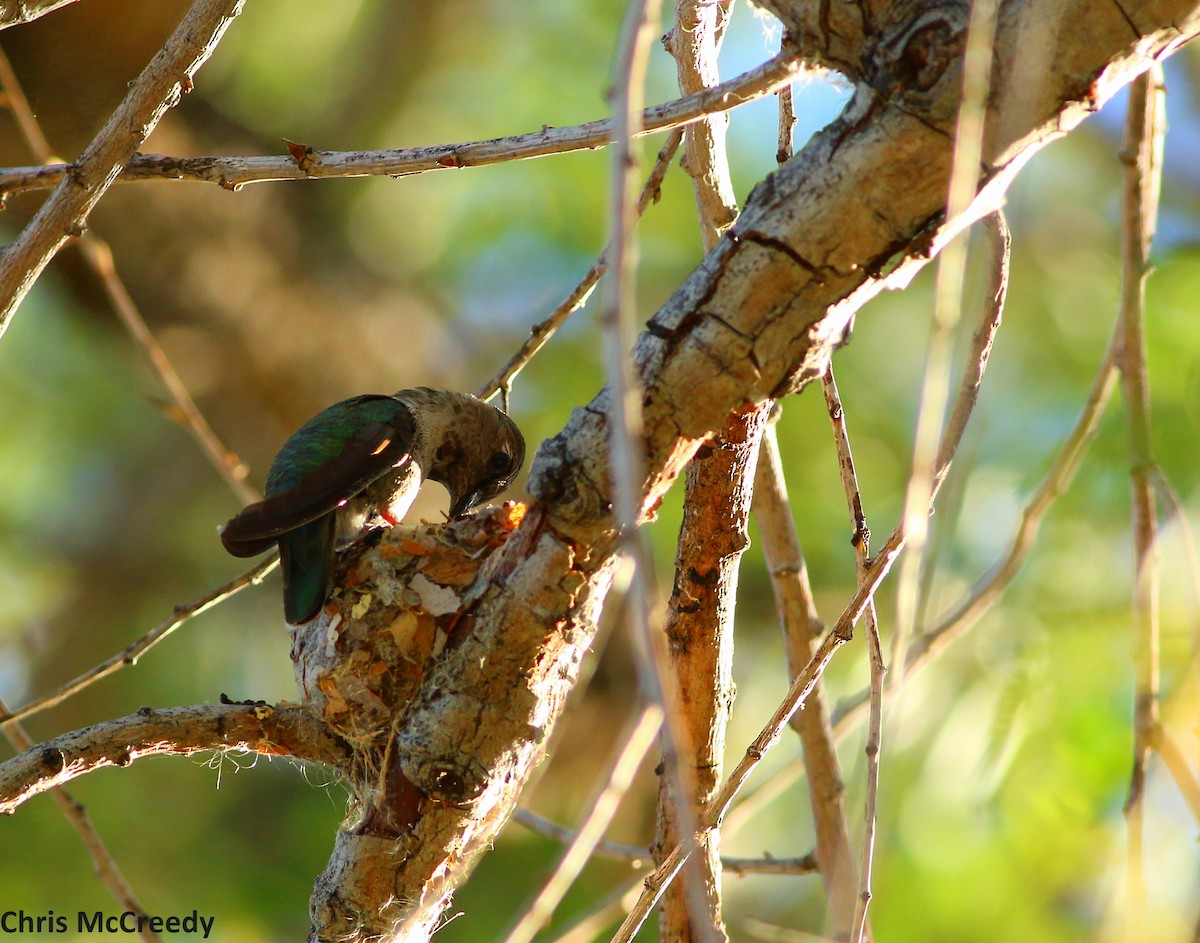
[477, 449]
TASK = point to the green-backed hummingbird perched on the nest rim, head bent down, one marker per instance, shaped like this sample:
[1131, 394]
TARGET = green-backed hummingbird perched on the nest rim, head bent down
[357, 467]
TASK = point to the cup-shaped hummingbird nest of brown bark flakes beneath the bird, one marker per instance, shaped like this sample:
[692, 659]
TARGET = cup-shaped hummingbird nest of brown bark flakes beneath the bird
[395, 605]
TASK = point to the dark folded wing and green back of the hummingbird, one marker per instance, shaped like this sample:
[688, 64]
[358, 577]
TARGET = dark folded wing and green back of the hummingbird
[343, 464]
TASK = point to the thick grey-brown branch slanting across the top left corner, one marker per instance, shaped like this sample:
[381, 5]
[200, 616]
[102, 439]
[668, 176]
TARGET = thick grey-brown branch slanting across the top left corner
[159, 88]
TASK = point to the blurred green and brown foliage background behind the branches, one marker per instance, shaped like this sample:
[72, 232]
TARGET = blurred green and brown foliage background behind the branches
[1006, 765]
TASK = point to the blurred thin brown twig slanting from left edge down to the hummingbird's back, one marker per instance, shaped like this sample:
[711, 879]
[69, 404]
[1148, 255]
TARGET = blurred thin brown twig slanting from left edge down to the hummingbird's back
[100, 260]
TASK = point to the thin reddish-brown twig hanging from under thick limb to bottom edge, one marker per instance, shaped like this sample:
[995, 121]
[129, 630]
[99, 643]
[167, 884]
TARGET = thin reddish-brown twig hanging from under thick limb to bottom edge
[861, 540]
